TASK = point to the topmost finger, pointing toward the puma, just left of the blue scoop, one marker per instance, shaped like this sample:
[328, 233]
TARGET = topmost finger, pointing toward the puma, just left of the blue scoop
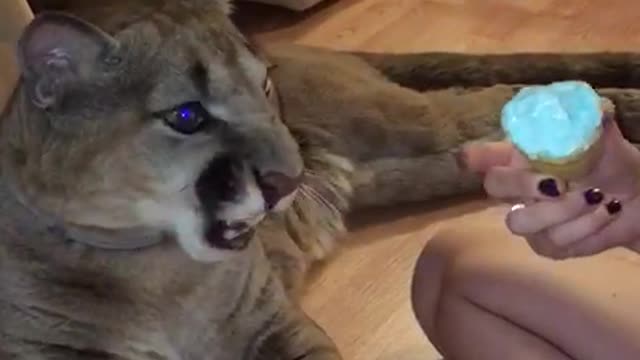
[482, 157]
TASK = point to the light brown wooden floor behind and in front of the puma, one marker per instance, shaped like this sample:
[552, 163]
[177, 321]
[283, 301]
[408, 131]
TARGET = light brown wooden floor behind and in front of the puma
[361, 298]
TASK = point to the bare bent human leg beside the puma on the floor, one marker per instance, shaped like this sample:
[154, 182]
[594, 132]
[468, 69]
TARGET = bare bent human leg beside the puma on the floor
[481, 293]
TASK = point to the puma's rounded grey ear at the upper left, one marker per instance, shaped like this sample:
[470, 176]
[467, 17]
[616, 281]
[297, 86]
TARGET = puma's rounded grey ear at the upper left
[56, 50]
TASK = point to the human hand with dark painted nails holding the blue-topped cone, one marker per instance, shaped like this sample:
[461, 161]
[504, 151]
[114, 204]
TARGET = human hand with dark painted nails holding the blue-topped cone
[559, 219]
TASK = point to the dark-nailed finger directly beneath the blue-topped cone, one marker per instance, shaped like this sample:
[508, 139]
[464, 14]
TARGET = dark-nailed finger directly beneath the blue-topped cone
[508, 183]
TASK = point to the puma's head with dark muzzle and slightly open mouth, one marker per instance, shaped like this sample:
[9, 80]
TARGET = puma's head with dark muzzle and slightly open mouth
[154, 117]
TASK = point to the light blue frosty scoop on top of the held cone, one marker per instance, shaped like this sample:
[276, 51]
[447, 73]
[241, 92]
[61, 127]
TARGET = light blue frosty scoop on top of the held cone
[555, 121]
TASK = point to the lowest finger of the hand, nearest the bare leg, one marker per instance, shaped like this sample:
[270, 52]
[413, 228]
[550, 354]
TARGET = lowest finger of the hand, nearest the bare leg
[581, 228]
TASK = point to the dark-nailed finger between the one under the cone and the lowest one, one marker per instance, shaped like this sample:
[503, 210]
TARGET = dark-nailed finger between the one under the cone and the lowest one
[540, 216]
